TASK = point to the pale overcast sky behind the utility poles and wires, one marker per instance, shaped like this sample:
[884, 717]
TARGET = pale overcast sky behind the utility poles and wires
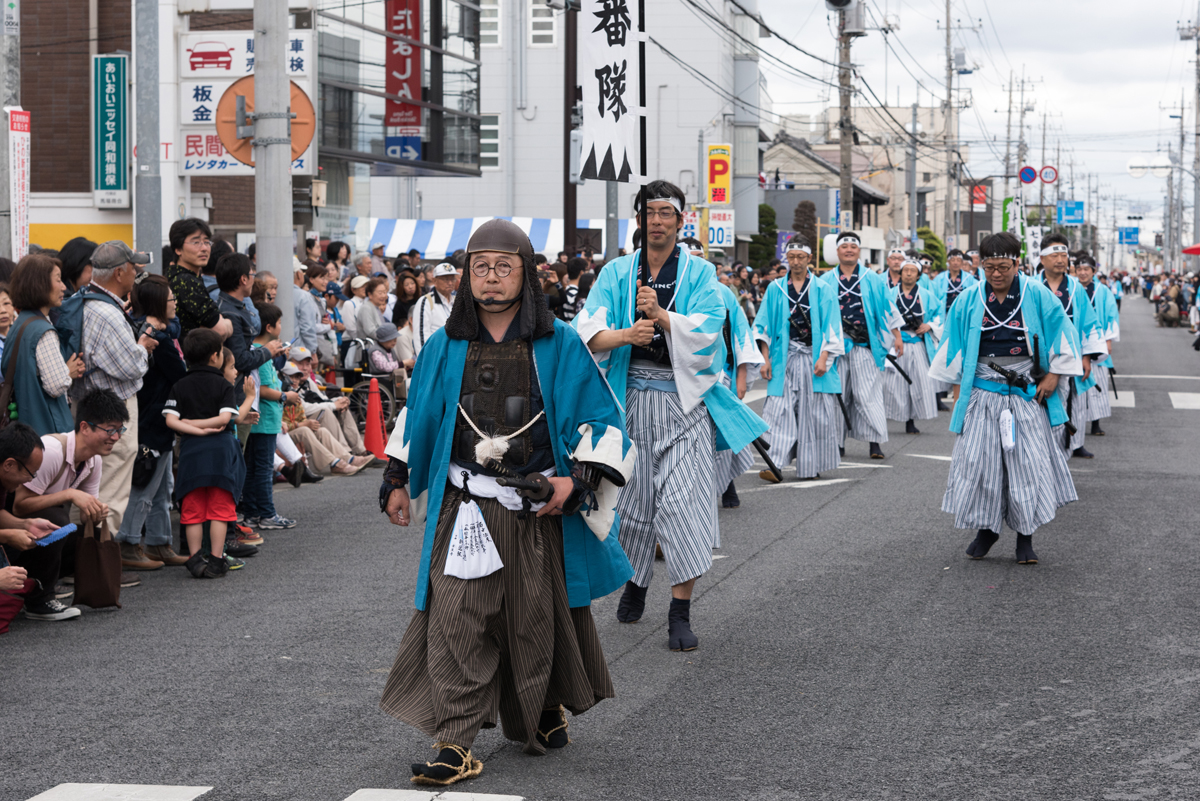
[1105, 71]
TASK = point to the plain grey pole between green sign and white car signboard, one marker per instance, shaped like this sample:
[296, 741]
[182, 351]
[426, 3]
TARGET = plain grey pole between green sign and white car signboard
[147, 180]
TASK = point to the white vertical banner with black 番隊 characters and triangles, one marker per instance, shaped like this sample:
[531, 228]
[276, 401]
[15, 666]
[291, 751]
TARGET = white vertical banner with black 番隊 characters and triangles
[611, 58]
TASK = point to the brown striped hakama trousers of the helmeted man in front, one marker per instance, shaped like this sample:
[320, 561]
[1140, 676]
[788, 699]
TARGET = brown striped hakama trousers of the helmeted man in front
[506, 643]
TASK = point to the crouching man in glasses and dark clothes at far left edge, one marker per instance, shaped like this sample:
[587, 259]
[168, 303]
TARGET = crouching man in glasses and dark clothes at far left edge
[21, 460]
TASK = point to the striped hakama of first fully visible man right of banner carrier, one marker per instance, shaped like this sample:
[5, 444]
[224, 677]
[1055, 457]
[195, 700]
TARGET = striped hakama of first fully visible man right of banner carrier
[806, 426]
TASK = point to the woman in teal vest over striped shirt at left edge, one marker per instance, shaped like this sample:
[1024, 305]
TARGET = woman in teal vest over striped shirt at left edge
[37, 374]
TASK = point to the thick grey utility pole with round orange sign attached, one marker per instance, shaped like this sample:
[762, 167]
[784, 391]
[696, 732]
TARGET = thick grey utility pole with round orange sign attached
[273, 147]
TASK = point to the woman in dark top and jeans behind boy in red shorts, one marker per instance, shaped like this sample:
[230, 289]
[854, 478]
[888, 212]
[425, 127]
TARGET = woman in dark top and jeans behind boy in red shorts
[154, 309]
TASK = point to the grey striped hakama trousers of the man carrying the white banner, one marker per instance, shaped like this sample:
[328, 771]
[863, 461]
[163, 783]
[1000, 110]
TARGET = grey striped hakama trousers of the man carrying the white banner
[671, 499]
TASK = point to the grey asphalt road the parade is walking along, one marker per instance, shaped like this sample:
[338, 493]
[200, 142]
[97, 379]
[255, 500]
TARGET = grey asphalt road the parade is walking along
[849, 648]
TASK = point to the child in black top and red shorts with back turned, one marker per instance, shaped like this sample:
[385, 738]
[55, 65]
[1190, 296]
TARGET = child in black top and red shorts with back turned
[203, 408]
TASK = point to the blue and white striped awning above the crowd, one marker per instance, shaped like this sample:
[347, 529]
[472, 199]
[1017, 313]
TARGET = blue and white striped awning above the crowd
[436, 239]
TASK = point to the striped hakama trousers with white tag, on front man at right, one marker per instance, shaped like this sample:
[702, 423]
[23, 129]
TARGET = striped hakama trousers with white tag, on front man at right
[989, 487]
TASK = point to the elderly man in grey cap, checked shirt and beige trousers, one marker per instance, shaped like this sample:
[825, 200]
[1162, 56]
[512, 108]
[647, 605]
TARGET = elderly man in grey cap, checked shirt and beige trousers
[117, 356]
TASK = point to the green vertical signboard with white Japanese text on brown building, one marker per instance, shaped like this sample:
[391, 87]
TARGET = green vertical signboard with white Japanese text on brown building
[110, 133]
